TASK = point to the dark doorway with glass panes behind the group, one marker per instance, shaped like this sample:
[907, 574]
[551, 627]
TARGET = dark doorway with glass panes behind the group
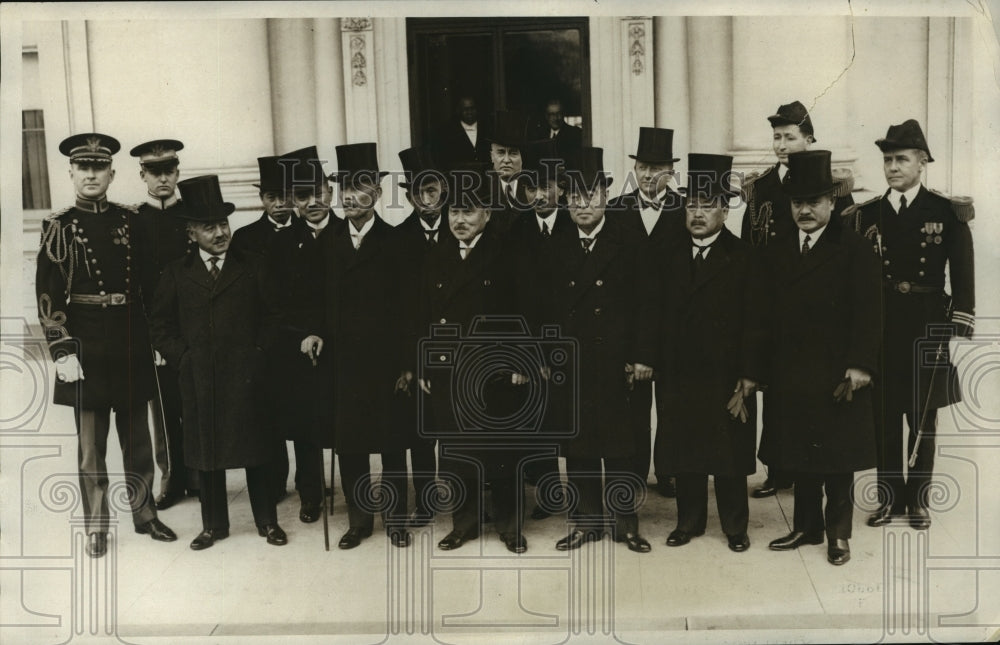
[504, 63]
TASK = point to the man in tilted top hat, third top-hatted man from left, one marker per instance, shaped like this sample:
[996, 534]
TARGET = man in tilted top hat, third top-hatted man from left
[299, 407]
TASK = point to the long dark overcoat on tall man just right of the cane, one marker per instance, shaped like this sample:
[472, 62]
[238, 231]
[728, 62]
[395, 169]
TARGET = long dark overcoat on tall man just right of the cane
[363, 327]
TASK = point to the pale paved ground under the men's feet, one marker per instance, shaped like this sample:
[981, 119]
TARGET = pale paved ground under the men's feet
[900, 584]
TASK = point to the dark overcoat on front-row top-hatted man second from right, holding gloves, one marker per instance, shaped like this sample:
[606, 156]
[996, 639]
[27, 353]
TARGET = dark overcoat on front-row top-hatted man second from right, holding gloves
[711, 331]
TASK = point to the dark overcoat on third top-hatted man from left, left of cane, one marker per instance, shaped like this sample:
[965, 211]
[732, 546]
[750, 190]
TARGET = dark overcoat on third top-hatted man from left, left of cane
[301, 401]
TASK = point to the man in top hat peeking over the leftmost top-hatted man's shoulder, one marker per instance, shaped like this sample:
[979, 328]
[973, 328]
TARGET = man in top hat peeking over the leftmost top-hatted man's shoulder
[276, 197]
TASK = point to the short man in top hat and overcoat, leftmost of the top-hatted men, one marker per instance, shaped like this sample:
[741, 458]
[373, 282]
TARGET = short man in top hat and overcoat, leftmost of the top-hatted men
[212, 318]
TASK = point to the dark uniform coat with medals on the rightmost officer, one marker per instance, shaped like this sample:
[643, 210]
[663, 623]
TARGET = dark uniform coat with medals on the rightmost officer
[913, 252]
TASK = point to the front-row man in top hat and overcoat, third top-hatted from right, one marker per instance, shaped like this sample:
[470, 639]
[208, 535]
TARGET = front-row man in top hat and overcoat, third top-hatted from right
[594, 299]
